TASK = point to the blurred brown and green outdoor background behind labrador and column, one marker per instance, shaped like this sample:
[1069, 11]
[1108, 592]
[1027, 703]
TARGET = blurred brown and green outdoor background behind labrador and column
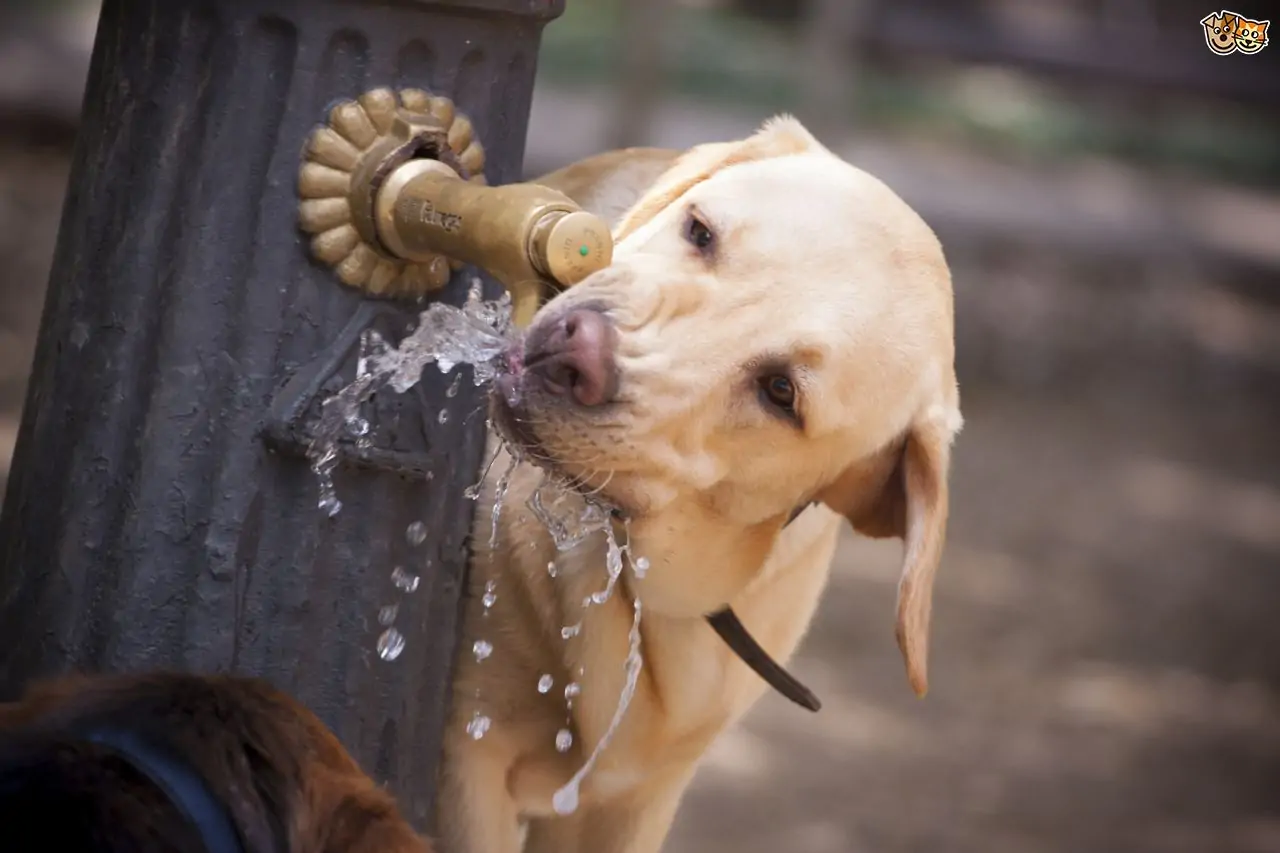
[1107, 665]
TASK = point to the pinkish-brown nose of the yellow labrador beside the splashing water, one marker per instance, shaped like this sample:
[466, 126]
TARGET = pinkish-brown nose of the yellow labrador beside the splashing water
[575, 357]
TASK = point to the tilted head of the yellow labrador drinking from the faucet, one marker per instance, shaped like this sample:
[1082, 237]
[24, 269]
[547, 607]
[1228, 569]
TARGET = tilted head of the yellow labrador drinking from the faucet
[776, 329]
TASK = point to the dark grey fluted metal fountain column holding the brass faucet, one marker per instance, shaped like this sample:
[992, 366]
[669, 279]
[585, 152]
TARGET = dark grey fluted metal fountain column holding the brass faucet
[148, 523]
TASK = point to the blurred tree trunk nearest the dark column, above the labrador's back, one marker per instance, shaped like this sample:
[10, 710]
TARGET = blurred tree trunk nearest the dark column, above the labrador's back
[642, 25]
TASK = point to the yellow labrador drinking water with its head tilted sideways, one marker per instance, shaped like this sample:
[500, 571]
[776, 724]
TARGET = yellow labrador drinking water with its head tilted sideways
[770, 355]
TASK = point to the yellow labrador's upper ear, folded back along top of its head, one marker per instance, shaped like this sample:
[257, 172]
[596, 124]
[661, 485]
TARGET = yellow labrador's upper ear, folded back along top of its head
[780, 136]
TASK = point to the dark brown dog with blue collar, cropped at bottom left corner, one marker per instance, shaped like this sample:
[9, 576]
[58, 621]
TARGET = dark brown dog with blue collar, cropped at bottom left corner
[182, 764]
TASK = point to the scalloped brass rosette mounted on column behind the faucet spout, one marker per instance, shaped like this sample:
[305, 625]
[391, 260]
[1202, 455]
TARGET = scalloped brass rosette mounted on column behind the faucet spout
[345, 162]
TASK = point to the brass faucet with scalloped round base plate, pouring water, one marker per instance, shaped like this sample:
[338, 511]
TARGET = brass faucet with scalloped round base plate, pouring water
[394, 195]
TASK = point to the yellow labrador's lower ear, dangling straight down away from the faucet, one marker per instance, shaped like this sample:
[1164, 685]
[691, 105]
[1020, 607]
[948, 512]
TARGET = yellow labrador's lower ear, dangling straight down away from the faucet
[902, 492]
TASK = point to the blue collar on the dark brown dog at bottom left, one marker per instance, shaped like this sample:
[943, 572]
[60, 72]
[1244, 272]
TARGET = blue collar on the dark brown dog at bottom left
[180, 782]
